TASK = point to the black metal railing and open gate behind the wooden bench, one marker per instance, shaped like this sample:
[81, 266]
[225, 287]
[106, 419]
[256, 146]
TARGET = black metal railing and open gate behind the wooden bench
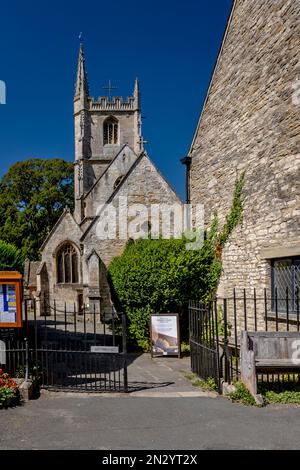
[216, 326]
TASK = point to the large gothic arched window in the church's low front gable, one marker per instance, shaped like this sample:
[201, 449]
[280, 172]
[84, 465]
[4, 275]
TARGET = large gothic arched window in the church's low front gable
[67, 265]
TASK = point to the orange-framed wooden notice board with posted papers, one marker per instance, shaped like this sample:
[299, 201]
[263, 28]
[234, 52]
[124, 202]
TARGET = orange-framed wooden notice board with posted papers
[10, 299]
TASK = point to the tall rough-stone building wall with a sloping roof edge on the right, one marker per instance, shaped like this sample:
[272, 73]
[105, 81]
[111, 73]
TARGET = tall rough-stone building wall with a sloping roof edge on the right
[250, 122]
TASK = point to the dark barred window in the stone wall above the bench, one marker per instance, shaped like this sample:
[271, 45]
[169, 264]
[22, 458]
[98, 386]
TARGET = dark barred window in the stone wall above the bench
[285, 284]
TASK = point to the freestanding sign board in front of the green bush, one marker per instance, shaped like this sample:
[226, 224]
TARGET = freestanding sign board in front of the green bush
[165, 336]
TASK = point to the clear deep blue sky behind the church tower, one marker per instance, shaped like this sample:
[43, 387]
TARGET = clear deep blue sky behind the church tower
[170, 45]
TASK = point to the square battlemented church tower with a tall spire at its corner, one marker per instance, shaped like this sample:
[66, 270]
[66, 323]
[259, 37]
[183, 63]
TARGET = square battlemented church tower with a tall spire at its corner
[102, 128]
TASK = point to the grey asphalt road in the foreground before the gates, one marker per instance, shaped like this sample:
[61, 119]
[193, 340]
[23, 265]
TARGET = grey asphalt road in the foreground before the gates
[69, 421]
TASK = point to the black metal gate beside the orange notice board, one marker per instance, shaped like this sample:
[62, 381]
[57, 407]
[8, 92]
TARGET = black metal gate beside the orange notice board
[79, 350]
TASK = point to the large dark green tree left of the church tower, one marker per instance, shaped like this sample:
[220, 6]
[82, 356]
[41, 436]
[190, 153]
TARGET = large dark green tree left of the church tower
[33, 194]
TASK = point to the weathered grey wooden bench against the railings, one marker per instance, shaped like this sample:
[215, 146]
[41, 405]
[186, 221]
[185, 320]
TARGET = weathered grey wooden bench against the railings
[268, 352]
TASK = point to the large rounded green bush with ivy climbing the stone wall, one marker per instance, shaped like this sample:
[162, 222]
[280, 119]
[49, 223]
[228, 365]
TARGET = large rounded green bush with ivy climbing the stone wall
[156, 276]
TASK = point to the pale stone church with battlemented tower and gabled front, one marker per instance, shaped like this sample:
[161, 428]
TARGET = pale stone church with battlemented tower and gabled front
[110, 164]
